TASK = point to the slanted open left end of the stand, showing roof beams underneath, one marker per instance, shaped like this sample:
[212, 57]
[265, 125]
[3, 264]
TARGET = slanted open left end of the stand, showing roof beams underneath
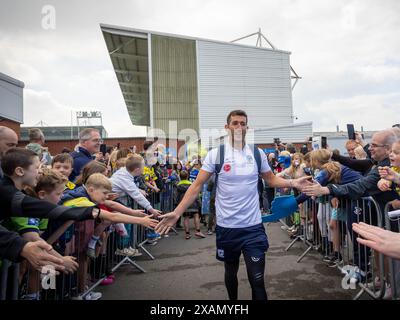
[130, 58]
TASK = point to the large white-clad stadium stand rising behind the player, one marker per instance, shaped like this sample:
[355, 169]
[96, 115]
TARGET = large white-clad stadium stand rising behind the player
[196, 82]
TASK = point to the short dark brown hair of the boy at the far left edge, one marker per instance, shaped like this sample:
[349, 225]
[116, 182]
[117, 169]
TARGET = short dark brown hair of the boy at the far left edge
[17, 157]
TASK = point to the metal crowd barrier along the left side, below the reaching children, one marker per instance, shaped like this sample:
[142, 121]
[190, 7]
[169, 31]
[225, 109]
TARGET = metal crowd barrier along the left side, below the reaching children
[71, 238]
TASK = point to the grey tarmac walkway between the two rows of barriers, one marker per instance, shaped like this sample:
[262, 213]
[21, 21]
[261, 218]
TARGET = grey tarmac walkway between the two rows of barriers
[187, 269]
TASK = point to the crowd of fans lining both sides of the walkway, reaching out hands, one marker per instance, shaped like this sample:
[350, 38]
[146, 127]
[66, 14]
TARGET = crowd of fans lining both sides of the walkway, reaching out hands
[64, 210]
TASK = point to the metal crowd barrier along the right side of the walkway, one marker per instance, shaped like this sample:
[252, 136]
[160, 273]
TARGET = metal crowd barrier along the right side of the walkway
[317, 232]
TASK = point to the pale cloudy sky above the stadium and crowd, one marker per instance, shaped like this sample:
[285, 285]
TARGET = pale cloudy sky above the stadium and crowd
[347, 53]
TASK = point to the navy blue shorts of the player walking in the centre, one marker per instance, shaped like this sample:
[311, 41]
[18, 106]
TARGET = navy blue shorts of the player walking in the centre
[231, 242]
